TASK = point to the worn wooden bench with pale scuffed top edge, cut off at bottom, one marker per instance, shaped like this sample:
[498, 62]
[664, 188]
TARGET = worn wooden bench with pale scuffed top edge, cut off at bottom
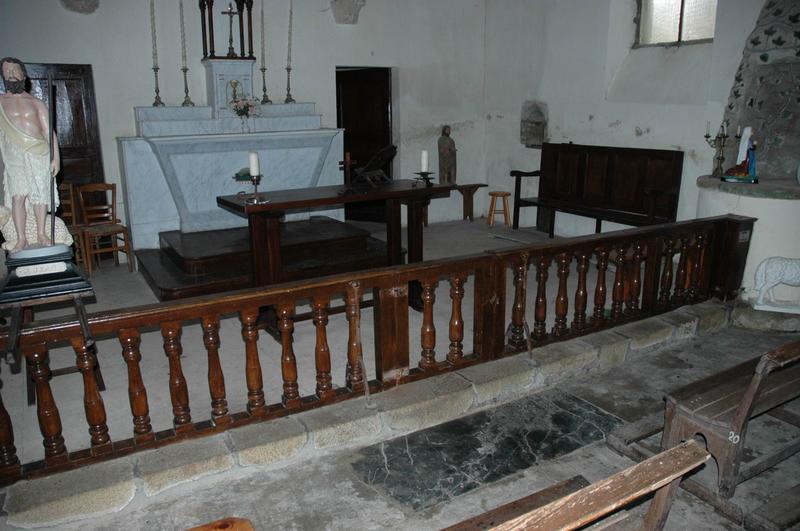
[553, 508]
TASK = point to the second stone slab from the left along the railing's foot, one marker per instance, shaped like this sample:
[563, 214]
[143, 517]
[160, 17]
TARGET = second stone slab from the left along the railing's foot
[172, 465]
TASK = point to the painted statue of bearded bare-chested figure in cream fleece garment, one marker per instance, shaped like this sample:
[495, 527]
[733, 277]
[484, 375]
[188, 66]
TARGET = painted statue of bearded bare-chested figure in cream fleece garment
[25, 150]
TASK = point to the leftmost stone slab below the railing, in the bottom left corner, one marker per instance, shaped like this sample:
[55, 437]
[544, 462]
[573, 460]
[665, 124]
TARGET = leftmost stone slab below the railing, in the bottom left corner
[84, 493]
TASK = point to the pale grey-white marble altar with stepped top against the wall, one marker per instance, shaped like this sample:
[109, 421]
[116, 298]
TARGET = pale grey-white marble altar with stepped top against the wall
[184, 157]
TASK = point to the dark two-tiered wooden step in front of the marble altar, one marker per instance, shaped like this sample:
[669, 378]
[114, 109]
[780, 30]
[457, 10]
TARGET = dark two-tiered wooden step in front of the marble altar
[201, 263]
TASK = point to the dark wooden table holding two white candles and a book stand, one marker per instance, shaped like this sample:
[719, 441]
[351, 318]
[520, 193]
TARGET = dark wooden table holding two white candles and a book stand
[264, 218]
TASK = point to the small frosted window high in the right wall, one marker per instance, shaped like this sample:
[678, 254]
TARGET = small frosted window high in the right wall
[670, 22]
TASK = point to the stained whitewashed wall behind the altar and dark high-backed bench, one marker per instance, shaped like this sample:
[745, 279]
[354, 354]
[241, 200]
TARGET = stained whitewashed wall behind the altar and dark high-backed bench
[469, 63]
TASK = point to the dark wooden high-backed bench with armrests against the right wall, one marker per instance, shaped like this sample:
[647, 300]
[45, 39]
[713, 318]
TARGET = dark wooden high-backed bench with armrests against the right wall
[624, 185]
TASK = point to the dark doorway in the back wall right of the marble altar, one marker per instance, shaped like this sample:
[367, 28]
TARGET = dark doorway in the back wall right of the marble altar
[364, 111]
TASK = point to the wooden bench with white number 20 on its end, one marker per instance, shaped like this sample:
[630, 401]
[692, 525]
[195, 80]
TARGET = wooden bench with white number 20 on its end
[720, 407]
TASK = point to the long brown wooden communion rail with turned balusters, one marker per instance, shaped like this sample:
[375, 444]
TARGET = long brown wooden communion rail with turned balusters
[710, 255]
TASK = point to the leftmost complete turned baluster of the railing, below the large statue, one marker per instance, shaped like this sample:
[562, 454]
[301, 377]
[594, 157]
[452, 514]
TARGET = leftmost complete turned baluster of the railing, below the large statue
[46, 410]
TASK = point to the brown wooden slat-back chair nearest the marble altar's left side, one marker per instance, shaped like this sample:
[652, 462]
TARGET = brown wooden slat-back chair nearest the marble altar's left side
[100, 221]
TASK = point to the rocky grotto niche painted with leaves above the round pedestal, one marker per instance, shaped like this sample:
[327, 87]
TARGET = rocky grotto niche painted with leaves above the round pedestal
[766, 91]
